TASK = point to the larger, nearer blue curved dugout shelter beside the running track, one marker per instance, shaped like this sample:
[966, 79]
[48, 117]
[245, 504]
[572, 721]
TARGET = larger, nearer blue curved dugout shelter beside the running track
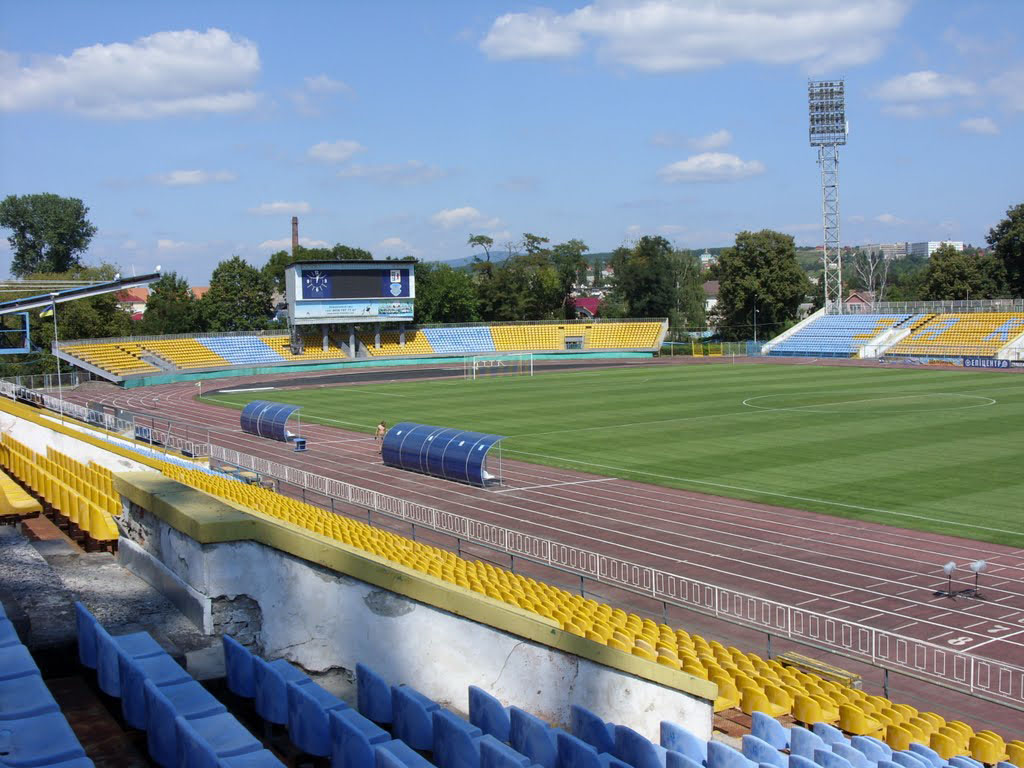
[441, 452]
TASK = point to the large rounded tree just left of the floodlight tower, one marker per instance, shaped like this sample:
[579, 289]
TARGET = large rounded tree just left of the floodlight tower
[761, 283]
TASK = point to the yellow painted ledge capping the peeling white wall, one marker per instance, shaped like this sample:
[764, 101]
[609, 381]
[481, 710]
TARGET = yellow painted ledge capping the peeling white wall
[211, 521]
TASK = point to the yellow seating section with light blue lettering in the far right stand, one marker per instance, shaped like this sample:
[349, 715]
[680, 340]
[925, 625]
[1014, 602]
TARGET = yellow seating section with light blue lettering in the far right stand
[962, 334]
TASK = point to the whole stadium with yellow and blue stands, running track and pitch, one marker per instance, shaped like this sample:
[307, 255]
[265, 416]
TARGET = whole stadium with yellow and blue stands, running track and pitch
[734, 556]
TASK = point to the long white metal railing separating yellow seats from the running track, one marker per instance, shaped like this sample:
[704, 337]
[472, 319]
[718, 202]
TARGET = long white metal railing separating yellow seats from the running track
[998, 681]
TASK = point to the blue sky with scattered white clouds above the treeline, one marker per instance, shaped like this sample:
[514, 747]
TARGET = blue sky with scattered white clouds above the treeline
[194, 132]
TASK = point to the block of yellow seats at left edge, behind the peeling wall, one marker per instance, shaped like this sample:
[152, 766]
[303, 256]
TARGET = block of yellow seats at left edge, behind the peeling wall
[79, 497]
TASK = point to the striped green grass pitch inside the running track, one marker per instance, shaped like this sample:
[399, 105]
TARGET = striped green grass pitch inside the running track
[938, 451]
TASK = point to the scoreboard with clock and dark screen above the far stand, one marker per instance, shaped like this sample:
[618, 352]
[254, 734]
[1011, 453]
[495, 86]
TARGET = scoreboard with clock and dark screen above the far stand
[324, 292]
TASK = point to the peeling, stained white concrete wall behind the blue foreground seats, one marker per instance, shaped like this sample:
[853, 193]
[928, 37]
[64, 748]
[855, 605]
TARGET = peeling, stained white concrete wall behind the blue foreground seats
[323, 620]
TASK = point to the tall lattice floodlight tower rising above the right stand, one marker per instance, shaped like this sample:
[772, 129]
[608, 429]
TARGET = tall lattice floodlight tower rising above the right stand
[827, 105]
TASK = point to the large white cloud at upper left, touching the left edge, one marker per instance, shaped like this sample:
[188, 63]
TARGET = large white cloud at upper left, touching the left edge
[165, 74]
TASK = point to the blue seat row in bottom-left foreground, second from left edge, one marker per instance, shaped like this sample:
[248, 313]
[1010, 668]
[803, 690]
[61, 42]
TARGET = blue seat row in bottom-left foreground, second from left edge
[186, 726]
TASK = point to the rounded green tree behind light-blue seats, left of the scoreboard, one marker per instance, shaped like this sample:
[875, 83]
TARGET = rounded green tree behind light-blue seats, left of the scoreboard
[239, 298]
